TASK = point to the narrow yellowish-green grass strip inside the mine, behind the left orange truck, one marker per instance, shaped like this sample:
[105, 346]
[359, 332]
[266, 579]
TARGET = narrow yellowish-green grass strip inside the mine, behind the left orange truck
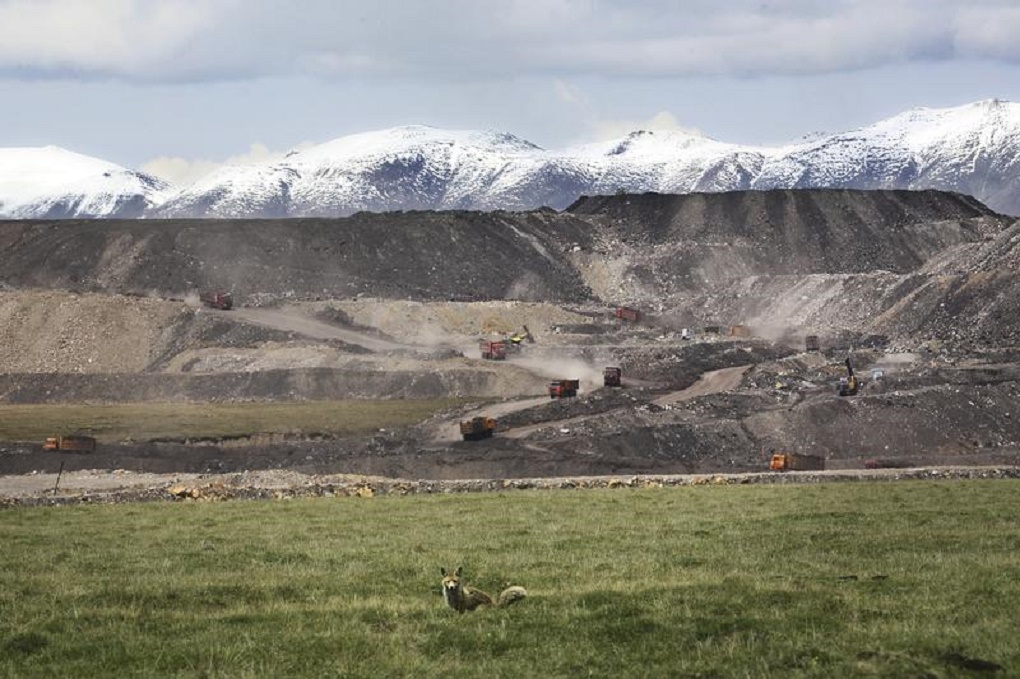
[148, 422]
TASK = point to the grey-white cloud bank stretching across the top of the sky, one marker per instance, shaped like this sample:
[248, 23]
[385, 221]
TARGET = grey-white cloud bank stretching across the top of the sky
[195, 40]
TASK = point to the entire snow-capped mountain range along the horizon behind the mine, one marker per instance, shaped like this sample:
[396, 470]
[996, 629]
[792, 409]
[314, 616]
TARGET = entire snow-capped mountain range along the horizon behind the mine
[973, 149]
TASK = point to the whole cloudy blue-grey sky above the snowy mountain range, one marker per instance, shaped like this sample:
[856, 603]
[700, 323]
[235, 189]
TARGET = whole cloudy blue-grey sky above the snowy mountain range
[177, 87]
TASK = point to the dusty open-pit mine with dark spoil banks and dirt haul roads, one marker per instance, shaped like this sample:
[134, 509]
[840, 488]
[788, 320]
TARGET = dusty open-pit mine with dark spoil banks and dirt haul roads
[734, 319]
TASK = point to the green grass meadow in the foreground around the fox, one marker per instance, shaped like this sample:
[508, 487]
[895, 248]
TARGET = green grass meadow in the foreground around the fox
[903, 580]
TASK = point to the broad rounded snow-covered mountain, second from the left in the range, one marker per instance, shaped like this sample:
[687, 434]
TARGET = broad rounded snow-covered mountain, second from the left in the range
[413, 168]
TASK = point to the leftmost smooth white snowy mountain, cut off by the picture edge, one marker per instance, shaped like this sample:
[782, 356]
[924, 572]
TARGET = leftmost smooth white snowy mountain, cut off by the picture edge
[50, 183]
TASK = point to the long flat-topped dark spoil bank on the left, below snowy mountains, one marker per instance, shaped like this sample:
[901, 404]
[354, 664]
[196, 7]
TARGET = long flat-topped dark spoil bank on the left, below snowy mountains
[420, 255]
